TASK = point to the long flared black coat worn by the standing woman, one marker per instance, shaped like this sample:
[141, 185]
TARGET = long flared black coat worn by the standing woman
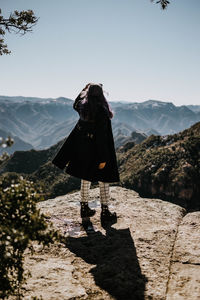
[89, 144]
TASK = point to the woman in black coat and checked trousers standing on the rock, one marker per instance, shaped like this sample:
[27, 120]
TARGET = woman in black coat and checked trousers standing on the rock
[88, 152]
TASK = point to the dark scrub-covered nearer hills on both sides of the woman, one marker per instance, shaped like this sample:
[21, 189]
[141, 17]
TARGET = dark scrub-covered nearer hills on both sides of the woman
[167, 167]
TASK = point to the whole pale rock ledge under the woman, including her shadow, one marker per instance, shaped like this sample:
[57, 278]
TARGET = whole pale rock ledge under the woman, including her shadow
[152, 252]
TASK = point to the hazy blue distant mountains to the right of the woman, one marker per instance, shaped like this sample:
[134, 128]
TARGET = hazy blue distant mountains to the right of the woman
[164, 117]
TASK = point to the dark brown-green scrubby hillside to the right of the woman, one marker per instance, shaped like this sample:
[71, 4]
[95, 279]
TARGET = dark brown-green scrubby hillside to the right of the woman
[167, 167]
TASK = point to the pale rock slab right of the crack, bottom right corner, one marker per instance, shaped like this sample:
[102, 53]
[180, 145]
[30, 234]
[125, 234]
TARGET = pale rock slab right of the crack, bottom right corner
[184, 281]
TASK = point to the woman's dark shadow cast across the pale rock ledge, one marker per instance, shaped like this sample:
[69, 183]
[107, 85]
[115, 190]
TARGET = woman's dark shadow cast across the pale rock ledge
[117, 269]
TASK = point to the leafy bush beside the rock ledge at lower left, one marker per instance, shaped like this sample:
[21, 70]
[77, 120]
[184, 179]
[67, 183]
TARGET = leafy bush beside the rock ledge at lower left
[21, 223]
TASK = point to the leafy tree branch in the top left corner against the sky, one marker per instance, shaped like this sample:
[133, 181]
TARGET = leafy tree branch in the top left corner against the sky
[18, 22]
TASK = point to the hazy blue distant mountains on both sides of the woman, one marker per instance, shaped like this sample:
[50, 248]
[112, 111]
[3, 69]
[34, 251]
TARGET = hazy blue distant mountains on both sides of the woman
[42, 122]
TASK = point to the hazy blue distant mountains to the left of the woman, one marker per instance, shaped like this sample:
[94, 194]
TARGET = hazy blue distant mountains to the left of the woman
[41, 122]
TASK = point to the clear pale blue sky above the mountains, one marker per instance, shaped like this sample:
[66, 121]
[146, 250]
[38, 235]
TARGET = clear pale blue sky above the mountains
[135, 49]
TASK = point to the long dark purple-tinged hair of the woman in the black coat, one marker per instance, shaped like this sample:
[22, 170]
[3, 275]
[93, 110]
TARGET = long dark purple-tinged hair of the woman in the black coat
[93, 99]
